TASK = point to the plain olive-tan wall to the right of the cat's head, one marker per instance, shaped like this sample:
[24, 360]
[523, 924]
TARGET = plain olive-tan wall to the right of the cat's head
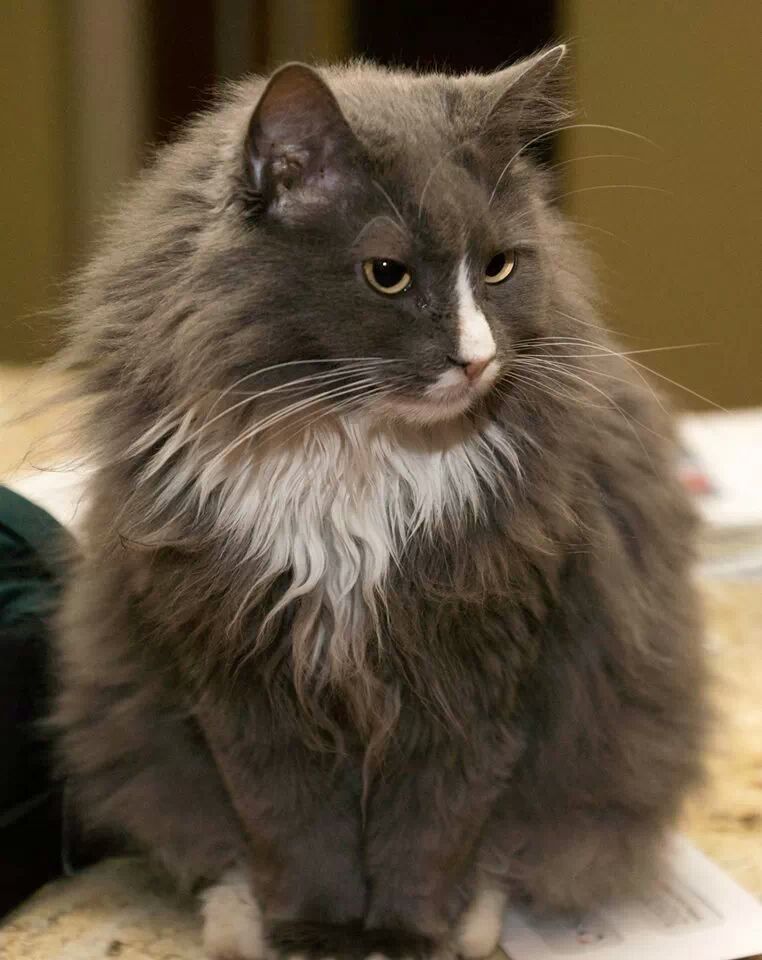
[684, 266]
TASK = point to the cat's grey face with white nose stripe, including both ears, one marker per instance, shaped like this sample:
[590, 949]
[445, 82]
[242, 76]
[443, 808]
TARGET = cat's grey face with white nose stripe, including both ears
[392, 247]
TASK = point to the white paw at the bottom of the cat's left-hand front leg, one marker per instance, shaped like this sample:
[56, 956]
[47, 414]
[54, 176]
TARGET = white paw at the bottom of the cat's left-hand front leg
[232, 920]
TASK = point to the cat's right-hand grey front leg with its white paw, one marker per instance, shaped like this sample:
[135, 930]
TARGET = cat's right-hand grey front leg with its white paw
[423, 831]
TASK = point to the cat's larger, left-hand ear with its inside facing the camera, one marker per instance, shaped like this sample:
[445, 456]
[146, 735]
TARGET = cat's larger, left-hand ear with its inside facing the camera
[299, 146]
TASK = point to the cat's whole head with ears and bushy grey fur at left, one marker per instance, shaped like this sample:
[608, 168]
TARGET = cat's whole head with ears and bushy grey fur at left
[352, 237]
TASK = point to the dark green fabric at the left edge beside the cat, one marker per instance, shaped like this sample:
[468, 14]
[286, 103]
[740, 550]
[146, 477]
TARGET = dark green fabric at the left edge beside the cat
[30, 549]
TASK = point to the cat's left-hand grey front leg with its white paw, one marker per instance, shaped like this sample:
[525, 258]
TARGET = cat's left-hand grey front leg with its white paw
[300, 811]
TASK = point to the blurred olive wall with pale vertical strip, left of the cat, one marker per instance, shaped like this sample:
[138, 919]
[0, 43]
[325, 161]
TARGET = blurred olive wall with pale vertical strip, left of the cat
[73, 114]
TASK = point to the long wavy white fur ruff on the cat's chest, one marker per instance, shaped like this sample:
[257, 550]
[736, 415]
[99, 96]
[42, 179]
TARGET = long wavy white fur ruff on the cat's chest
[335, 511]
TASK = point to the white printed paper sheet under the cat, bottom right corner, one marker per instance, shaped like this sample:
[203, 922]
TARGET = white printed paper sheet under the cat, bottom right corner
[697, 913]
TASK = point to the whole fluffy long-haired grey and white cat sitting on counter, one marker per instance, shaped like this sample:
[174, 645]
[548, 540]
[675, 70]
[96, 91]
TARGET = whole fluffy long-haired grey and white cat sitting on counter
[383, 613]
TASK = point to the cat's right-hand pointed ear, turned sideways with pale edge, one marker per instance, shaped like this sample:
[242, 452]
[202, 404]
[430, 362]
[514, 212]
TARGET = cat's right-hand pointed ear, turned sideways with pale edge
[530, 98]
